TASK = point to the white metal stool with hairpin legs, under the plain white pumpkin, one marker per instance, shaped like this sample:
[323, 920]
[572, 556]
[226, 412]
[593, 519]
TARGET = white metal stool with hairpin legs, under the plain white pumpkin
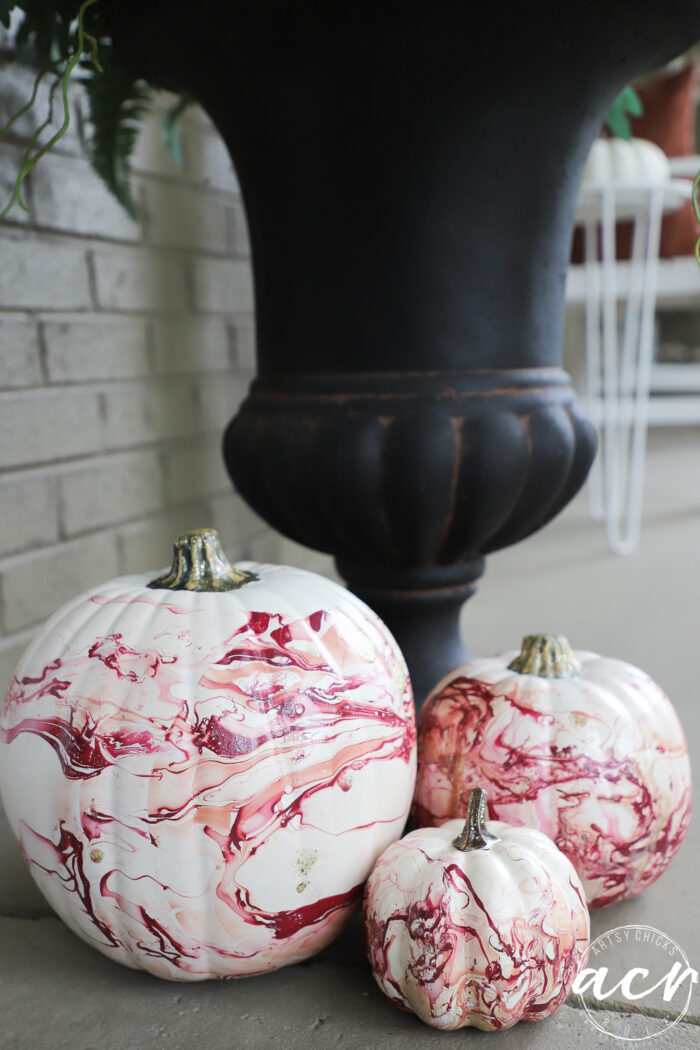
[621, 301]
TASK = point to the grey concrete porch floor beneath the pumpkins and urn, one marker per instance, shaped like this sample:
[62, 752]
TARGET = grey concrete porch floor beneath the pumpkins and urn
[56, 994]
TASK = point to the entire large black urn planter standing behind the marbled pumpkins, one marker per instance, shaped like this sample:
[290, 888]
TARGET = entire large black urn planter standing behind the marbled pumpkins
[410, 174]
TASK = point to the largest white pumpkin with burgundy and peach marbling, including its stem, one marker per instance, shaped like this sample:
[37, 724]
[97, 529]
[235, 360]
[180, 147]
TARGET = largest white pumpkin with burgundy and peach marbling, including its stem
[202, 774]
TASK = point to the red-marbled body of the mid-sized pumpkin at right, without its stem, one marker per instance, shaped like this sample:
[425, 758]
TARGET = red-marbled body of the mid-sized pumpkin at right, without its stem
[599, 763]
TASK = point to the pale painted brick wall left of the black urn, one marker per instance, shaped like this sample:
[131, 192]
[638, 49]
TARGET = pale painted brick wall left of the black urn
[125, 349]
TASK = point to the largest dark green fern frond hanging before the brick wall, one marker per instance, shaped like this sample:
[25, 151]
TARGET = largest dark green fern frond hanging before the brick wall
[118, 103]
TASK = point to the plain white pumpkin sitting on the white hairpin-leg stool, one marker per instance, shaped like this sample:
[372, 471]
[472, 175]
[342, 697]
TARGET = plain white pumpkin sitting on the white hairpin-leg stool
[637, 162]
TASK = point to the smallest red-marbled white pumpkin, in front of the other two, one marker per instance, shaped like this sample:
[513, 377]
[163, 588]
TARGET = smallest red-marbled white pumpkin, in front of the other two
[483, 926]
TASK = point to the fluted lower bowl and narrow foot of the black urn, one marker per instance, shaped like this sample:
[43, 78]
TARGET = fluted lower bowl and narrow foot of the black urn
[409, 479]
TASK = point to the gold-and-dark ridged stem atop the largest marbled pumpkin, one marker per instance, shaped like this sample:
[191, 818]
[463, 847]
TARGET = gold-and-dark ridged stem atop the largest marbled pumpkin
[199, 563]
